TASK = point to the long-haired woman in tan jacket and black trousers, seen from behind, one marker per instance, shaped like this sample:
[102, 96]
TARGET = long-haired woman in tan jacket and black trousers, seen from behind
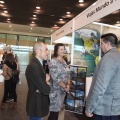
[9, 88]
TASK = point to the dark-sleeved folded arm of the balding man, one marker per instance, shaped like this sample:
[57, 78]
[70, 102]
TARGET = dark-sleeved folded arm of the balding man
[35, 75]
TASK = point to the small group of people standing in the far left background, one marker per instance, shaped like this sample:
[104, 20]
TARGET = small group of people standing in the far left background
[11, 72]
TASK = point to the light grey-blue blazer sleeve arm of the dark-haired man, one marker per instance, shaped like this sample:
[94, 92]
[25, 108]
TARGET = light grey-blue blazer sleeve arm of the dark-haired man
[102, 78]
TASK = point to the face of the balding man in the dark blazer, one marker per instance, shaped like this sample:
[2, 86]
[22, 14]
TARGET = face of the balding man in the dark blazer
[43, 53]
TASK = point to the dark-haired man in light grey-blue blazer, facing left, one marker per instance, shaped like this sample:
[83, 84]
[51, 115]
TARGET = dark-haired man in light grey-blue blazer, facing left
[104, 96]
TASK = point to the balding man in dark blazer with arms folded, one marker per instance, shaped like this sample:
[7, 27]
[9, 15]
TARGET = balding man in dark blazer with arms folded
[37, 105]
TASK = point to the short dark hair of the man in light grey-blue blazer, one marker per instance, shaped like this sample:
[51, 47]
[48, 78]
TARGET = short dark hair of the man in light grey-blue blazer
[110, 37]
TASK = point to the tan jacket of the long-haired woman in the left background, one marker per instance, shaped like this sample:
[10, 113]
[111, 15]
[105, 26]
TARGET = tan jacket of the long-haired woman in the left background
[7, 72]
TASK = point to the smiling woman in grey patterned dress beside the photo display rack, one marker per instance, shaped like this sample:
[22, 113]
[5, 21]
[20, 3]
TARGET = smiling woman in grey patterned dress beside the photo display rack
[59, 73]
